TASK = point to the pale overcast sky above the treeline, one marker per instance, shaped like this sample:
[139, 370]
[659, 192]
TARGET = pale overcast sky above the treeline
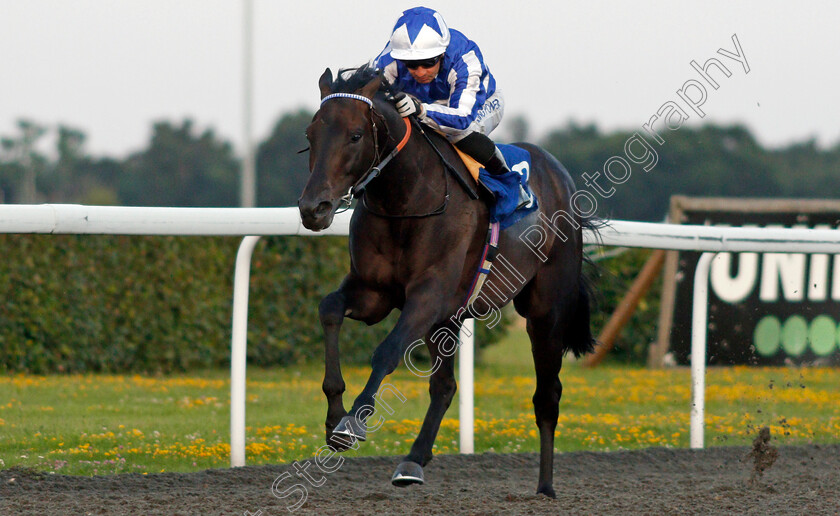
[111, 67]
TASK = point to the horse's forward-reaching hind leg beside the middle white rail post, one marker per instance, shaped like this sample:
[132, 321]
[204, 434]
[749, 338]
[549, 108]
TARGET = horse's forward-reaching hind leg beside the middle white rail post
[441, 342]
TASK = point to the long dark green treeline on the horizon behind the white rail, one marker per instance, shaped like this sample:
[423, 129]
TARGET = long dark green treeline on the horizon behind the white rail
[184, 167]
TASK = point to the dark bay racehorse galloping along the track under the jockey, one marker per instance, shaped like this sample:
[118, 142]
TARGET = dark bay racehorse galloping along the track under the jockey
[415, 244]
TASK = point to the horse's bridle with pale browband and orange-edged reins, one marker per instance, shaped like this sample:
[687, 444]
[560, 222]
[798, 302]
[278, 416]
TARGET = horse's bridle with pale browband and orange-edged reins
[375, 169]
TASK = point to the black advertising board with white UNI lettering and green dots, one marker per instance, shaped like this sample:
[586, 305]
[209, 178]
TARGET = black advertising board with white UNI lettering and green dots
[764, 308]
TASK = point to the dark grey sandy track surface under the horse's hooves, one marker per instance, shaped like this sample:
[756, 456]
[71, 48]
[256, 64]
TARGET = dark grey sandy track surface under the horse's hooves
[803, 480]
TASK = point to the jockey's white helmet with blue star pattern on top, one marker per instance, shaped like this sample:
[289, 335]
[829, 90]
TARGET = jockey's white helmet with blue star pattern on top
[420, 33]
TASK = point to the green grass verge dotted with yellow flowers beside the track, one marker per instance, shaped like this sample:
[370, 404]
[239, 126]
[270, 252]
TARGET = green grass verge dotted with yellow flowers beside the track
[100, 424]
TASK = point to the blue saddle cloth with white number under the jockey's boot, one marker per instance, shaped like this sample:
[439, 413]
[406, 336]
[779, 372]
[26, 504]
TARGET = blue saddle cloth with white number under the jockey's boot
[506, 187]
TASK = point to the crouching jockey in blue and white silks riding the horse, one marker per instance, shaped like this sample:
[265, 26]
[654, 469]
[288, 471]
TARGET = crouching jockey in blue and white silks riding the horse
[445, 82]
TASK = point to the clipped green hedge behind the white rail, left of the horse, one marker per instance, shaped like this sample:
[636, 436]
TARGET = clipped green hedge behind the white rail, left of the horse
[160, 304]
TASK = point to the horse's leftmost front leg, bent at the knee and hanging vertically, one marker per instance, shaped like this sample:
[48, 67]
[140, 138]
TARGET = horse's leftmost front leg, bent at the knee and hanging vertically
[351, 300]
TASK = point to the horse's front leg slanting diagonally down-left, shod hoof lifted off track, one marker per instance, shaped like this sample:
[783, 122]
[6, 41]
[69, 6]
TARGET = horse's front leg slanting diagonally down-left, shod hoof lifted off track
[421, 310]
